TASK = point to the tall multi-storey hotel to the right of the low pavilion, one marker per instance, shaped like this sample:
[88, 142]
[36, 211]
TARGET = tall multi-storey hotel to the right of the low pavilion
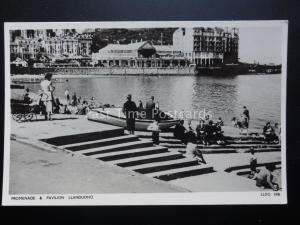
[207, 46]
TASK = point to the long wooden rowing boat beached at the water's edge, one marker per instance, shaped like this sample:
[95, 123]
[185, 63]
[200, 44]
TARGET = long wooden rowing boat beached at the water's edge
[115, 116]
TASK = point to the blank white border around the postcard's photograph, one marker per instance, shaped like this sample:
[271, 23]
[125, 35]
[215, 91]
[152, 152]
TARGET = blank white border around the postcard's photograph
[203, 198]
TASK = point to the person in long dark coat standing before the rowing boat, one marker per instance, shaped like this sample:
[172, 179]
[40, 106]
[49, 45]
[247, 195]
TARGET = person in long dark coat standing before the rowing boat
[130, 110]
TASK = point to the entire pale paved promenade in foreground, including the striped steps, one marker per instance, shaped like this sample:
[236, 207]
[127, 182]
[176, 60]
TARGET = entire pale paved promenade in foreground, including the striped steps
[75, 142]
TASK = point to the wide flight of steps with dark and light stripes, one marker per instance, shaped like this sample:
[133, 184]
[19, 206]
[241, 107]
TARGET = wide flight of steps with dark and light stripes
[132, 153]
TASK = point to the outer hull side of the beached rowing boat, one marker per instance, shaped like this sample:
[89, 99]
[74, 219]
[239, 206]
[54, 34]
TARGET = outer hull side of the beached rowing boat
[103, 116]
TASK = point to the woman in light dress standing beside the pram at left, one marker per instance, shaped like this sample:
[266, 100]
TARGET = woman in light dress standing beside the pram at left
[48, 89]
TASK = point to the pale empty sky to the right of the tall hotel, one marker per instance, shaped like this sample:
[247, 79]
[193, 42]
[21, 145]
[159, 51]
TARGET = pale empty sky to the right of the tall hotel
[262, 44]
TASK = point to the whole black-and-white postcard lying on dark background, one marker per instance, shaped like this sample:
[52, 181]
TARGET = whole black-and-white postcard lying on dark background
[145, 113]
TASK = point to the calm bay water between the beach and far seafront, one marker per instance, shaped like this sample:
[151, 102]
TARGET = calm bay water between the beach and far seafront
[224, 96]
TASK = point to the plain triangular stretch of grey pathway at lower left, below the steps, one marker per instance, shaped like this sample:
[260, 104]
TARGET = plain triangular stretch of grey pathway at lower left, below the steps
[36, 171]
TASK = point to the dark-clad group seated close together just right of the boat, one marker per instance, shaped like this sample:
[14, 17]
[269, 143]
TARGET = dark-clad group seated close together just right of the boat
[207, 132]
